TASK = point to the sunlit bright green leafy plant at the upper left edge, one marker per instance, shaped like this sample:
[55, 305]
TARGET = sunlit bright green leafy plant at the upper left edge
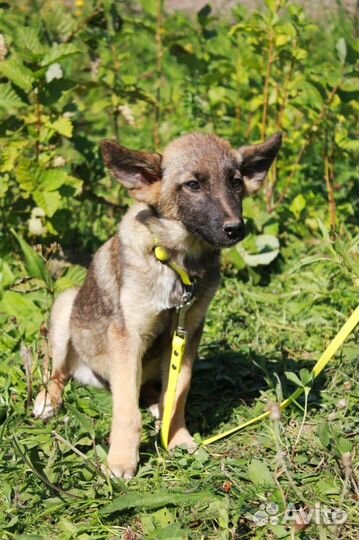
[35, 171]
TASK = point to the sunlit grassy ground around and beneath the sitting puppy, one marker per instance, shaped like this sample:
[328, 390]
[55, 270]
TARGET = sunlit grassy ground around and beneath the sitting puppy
[51, 483]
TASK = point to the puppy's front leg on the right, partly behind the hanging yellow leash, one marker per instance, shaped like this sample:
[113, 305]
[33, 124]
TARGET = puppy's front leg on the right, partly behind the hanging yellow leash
[179, 434]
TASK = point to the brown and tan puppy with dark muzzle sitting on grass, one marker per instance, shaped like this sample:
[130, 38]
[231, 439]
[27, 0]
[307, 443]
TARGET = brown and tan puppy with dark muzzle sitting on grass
[118, 326]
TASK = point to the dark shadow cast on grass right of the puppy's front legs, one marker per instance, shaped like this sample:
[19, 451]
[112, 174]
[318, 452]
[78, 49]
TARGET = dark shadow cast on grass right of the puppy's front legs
[225, 381]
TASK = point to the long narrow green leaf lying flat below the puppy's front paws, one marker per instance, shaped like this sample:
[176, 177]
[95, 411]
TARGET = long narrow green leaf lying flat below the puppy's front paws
[155, 500]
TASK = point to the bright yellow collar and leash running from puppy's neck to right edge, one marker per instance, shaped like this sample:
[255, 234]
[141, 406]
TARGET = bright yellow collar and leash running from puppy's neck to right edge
[178, 349]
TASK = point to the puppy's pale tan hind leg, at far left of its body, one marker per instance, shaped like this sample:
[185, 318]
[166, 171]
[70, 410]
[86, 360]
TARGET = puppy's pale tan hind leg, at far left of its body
[49, 400]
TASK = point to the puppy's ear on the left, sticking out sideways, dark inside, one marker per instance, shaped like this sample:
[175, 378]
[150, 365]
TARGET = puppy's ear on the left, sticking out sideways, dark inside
[139, 172]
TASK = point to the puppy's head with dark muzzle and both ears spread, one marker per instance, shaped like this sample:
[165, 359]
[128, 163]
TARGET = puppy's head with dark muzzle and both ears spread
[200, 181]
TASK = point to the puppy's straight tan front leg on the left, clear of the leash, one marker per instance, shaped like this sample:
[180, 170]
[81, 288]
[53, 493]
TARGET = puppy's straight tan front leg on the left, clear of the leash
[125, 379]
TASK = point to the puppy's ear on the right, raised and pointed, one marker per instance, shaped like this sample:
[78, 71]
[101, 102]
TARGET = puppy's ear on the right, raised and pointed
[256, 161]
